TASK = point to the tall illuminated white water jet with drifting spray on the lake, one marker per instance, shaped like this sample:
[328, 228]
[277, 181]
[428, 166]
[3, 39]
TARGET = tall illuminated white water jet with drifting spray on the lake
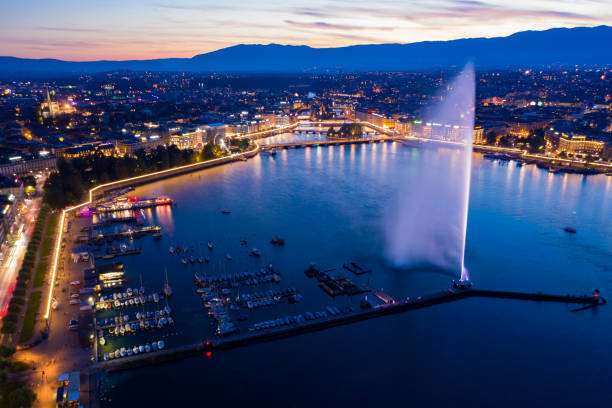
[428, 223]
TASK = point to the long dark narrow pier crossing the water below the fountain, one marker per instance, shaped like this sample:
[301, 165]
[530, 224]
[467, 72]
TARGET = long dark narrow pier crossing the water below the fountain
[447, 296]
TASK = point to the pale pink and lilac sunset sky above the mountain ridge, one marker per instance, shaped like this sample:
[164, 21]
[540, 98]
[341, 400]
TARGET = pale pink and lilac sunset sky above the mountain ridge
[145, 29]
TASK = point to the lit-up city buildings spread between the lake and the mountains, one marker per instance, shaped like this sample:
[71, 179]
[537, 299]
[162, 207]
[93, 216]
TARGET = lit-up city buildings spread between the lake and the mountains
[121, 113]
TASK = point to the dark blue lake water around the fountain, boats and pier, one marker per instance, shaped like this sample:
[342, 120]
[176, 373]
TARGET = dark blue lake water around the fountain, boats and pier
[330, 204]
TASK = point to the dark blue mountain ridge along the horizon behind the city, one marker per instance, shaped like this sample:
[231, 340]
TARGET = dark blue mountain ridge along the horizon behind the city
[557, 46]
